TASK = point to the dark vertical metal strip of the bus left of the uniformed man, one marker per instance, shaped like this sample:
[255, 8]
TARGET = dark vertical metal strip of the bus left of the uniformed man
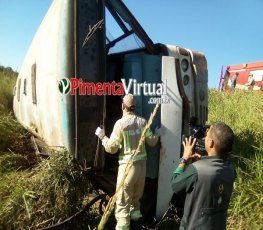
[90, 66]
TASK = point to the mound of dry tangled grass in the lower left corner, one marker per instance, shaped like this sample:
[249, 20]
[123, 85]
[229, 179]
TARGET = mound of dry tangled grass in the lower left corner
[45, 195]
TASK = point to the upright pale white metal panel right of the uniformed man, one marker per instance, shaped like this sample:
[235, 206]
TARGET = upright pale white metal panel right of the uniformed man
[171, 119]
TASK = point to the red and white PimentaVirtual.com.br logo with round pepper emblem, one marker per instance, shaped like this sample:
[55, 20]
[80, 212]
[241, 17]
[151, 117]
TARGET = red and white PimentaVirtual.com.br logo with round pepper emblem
[157, 92]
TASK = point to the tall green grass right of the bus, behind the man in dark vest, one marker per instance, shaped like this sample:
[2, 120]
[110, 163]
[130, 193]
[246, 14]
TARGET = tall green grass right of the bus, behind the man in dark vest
[243, 112]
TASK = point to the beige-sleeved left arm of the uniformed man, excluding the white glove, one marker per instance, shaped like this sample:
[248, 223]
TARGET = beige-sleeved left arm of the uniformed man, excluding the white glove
[113, 143]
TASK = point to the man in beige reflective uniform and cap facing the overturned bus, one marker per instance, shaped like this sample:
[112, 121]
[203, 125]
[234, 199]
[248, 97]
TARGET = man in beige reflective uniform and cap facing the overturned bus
[125, 136]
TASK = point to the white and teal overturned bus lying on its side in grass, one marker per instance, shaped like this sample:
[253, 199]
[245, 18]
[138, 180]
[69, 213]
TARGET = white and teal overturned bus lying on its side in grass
[74, 51]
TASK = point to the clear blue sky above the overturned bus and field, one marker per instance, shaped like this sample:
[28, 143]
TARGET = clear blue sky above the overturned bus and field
[228, 32]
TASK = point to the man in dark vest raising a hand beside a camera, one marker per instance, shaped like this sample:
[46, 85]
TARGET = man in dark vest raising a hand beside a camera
[208, 182]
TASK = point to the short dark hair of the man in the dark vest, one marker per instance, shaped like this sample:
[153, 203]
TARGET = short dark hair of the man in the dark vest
[223, 137]
